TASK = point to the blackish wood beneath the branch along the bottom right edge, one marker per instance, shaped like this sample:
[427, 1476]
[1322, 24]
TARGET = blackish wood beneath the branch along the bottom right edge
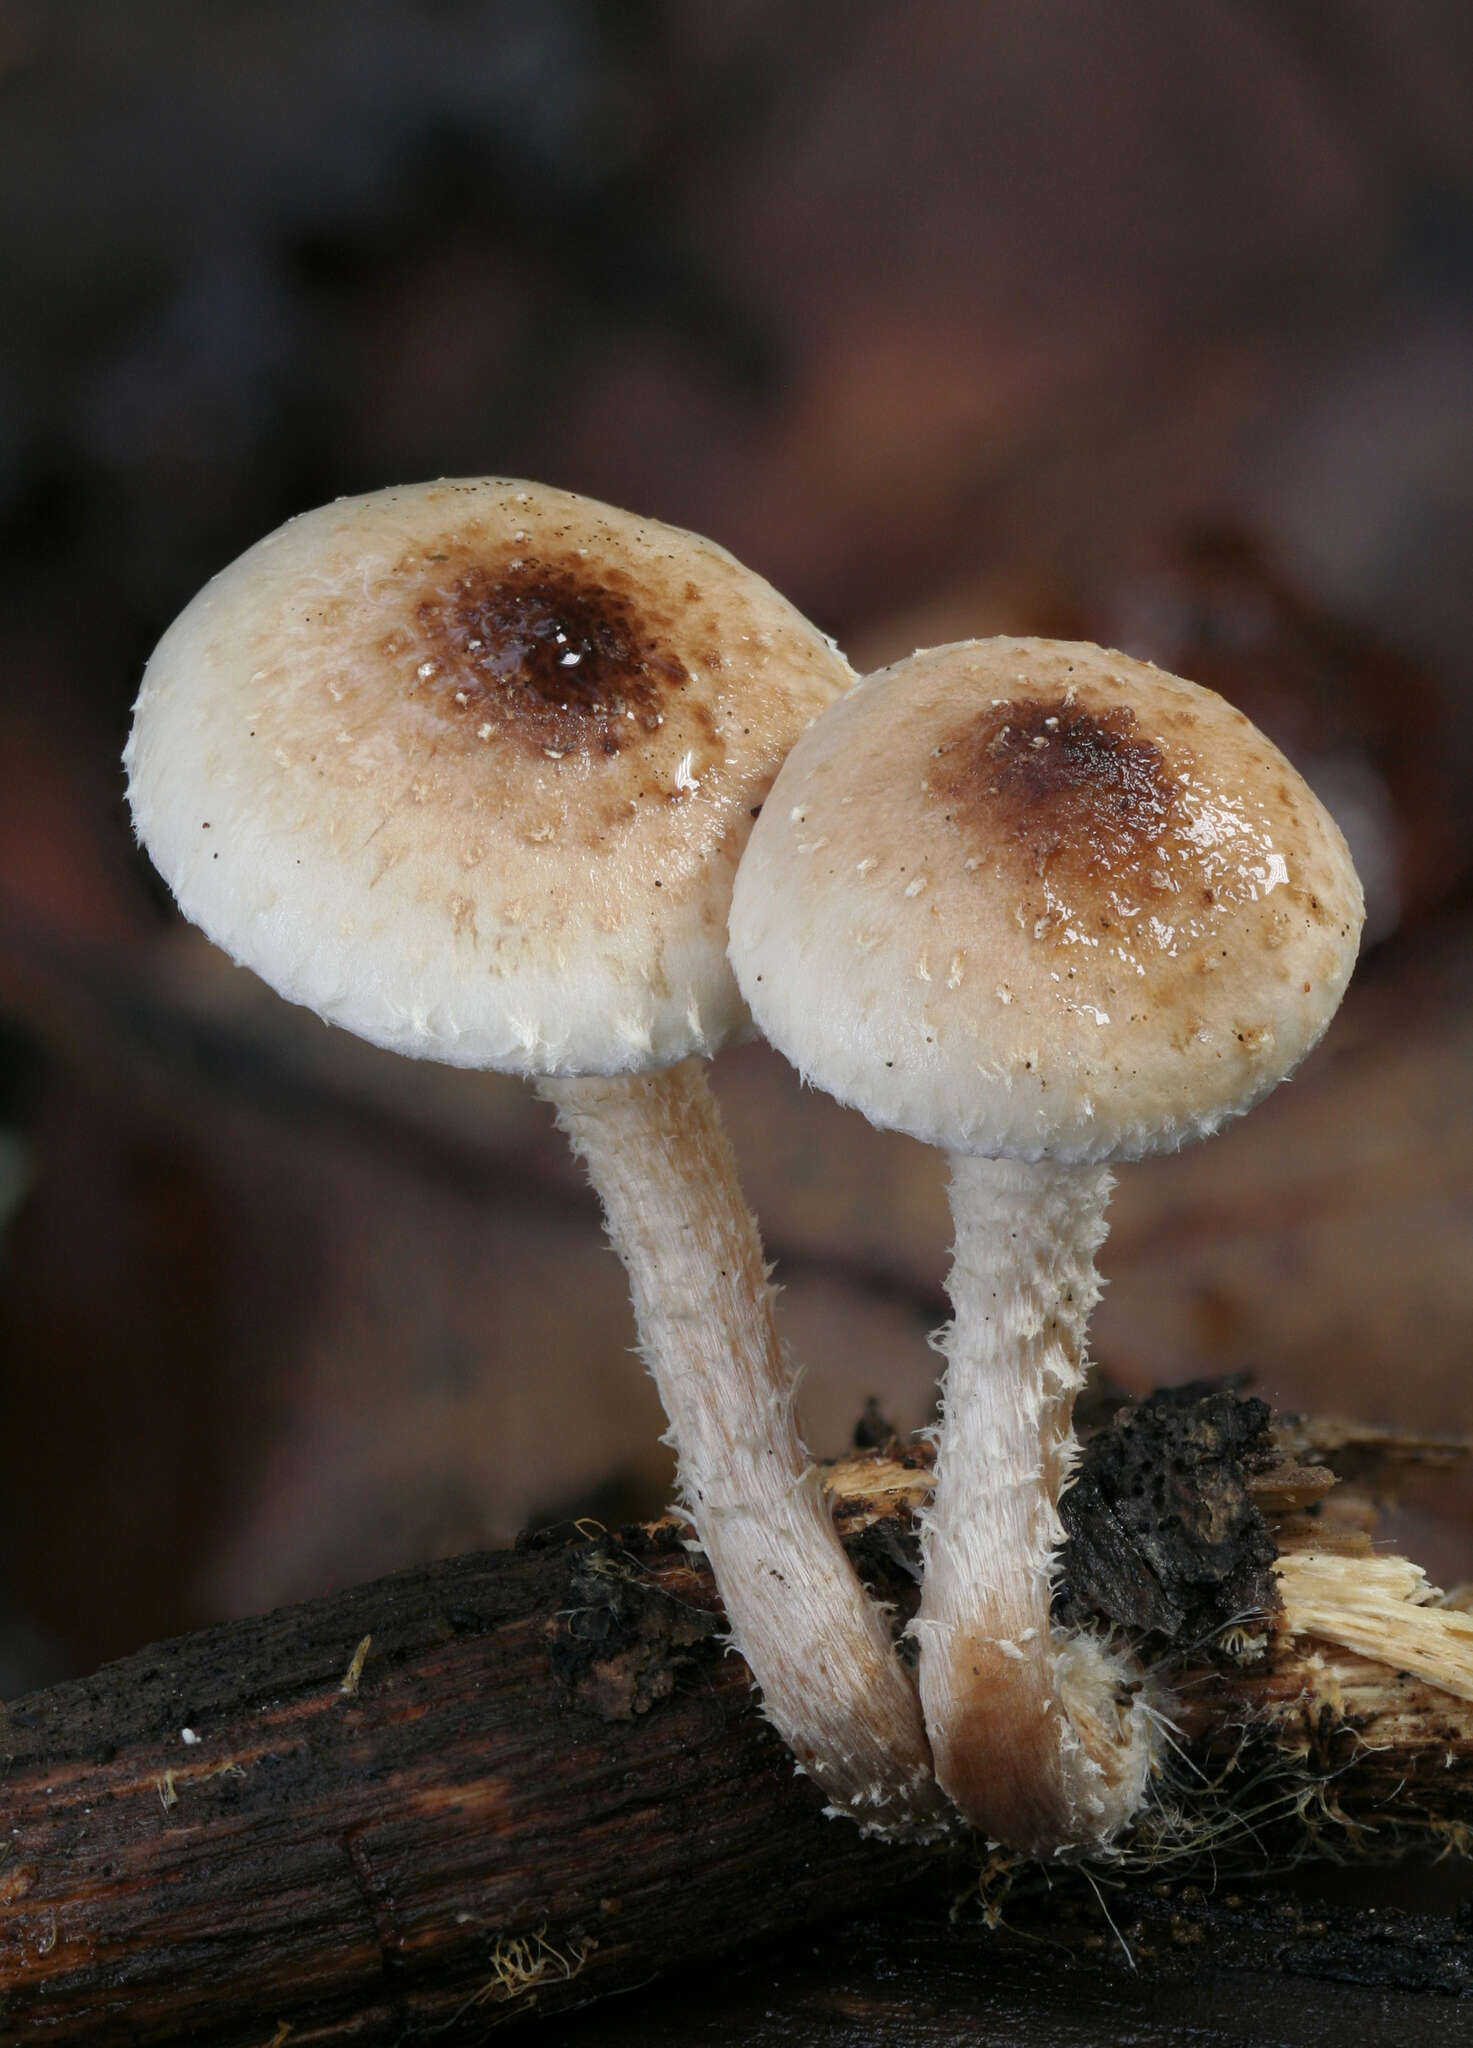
[1212, 1971]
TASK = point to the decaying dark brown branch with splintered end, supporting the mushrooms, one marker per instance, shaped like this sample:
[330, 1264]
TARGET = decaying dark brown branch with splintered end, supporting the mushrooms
[507, 1785]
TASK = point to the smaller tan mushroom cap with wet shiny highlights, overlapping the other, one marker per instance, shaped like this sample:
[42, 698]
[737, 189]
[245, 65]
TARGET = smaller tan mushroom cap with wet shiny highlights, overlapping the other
[1038, 900]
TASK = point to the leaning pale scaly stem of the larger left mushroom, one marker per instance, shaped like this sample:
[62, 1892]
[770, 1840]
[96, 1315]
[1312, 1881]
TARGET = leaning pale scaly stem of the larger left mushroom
[818, 1648]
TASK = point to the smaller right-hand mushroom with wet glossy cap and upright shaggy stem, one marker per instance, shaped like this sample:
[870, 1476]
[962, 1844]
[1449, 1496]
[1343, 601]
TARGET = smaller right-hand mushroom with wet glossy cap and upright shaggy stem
[1046, 908]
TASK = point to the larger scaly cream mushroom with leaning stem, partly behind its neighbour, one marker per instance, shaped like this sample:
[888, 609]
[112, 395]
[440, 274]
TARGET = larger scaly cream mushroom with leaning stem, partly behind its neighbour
[466, 769]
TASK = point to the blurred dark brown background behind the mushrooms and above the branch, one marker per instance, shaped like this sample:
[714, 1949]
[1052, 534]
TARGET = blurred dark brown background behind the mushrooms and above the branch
[1142, 321]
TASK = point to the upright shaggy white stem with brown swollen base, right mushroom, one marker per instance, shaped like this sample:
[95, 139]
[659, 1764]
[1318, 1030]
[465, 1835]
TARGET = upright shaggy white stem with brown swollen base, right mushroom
[1036, 1736]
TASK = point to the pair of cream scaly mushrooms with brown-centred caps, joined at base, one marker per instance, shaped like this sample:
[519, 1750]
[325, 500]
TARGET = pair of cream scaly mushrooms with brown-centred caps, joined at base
[470, 767]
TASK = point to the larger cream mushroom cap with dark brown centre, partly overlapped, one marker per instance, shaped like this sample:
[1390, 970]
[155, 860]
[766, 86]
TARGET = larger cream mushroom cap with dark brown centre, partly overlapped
[468, 767]
